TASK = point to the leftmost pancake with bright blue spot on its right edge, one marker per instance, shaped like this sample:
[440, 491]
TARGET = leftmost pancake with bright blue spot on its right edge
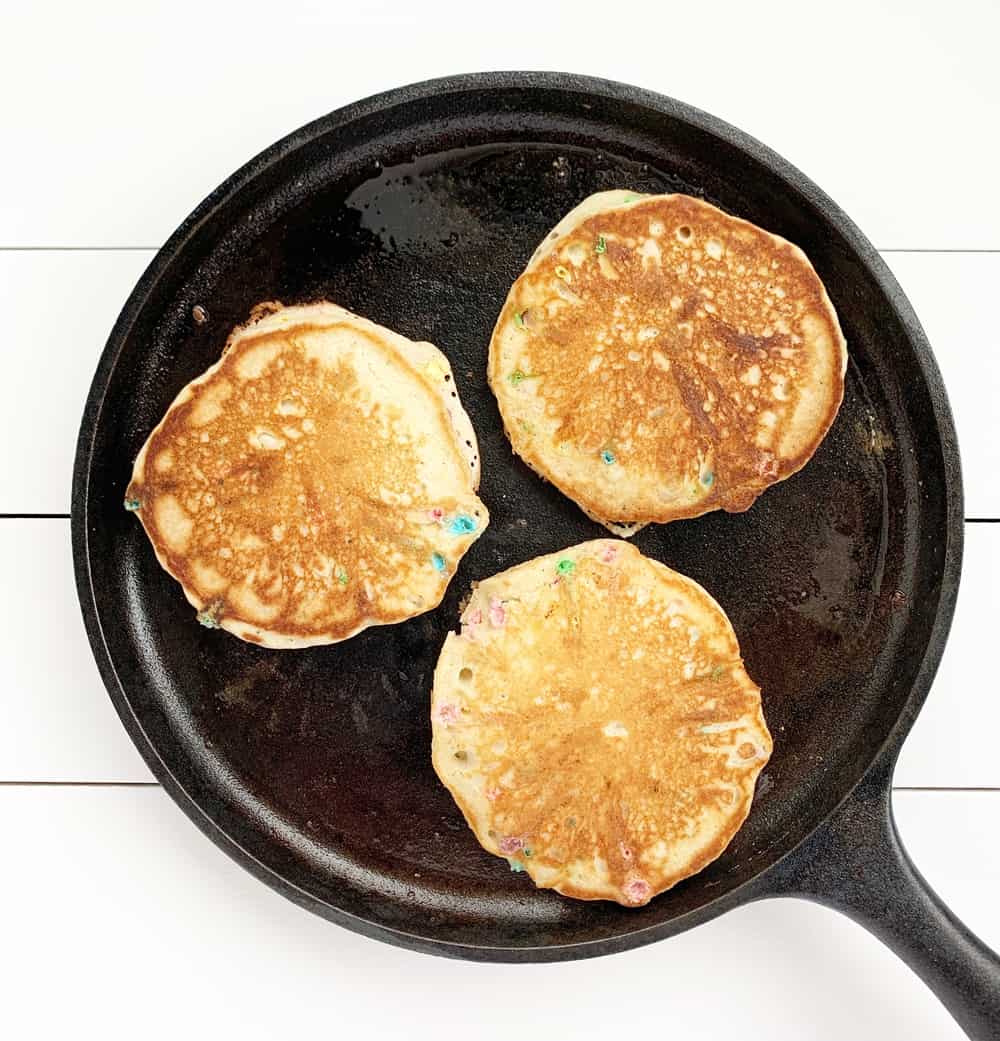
[319, 479]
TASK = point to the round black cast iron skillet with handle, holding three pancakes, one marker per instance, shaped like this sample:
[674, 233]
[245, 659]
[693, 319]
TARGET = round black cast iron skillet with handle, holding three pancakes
[418, 209]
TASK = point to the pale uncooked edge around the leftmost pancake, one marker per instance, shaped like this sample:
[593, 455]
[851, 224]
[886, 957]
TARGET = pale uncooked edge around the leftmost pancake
[270, 317]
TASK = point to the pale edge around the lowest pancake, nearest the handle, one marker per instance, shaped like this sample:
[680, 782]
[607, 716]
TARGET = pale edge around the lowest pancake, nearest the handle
[472, 801]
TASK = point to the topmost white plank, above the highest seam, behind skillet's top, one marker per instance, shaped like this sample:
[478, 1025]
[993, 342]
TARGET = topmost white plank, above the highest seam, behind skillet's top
[127, 115]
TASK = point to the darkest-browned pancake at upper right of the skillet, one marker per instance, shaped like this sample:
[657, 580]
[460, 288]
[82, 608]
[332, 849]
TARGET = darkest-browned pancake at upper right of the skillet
[659, 360]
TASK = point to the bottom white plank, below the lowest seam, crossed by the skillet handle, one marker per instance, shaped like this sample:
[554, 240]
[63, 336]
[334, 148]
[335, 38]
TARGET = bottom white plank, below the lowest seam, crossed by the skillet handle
[132, 918]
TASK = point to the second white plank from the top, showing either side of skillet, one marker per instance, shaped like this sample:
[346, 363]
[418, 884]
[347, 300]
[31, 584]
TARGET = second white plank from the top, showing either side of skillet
[952, 293]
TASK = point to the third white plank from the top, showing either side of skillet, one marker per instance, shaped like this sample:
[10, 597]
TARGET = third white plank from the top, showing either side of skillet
[60, 726]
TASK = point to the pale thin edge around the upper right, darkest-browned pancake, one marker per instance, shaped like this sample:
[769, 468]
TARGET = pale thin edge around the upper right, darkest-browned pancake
[604, 202]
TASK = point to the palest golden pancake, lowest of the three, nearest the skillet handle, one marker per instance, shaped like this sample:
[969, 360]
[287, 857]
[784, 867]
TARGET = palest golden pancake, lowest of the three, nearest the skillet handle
[596, 725]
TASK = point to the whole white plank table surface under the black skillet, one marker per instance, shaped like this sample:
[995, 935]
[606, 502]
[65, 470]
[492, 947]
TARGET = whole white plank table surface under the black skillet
[118, 918]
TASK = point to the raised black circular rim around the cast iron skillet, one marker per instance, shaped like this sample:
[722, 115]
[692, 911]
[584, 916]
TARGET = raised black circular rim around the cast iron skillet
[756, 886]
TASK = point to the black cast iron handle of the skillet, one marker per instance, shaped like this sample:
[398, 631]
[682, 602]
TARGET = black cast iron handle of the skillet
[857, 865]
